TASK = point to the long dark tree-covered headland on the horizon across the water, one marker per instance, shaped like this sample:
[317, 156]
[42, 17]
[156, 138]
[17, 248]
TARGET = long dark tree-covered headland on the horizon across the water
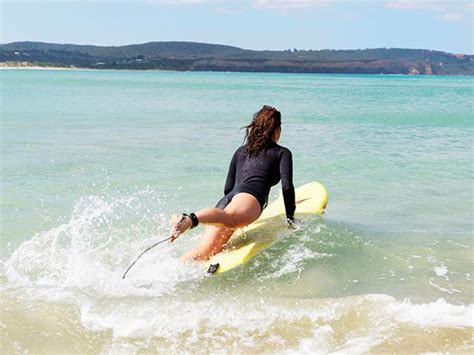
[191, 56]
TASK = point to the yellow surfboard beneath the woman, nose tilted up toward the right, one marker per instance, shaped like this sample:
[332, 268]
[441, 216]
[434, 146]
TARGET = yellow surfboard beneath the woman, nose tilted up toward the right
[245, 243]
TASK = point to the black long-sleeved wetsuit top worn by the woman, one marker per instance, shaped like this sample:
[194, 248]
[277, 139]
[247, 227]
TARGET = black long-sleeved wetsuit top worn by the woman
[257, 174]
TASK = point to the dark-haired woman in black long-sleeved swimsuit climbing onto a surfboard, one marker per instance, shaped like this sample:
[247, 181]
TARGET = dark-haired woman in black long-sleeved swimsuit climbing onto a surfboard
[254, 169]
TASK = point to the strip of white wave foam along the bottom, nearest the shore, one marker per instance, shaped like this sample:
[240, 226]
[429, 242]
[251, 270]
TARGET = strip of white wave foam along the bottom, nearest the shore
[248, 319]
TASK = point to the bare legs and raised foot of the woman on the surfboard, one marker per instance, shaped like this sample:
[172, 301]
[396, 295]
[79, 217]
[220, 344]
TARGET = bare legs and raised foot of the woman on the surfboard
[241, 211]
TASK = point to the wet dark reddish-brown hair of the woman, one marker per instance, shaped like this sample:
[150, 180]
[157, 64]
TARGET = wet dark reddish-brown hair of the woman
[260, 131]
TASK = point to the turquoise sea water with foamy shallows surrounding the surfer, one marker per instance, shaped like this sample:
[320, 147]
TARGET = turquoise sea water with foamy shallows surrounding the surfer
[94, 163]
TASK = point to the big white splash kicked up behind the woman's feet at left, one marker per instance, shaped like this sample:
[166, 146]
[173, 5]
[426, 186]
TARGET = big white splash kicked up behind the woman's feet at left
[89, 253]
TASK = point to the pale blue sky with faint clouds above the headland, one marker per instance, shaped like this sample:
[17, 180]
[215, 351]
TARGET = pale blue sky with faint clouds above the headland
[251, 24]
